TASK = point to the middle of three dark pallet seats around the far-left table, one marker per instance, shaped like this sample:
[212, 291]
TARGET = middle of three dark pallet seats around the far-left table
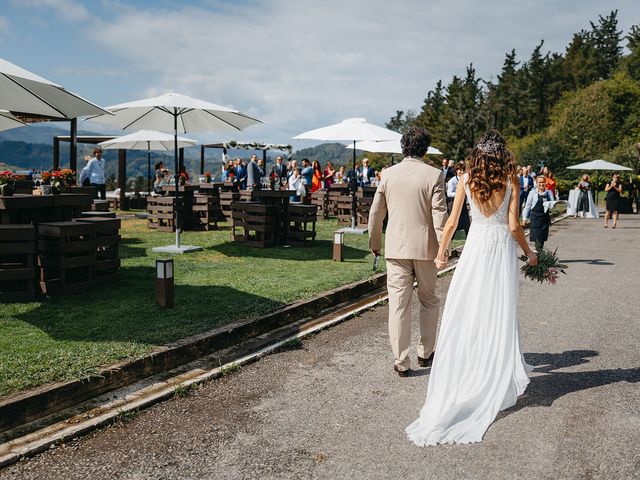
[66, 257]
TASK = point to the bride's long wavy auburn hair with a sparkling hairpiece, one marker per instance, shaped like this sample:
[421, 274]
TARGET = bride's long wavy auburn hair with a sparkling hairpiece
[490, 165]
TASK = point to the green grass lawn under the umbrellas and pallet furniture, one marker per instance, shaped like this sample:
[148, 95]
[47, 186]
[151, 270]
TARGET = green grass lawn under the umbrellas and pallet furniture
[69, 337]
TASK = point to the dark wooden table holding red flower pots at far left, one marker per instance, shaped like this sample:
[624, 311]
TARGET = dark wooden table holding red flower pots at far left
[34, 209]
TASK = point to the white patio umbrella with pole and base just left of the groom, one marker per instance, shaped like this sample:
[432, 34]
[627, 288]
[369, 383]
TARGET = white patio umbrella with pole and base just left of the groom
[352, 130]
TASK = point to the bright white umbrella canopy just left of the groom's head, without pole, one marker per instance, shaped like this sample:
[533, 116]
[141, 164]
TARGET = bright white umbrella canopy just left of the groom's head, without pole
[351, 129]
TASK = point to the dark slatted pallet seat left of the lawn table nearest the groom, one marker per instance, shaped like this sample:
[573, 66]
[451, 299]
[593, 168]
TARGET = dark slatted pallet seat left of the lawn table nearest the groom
[257, 224]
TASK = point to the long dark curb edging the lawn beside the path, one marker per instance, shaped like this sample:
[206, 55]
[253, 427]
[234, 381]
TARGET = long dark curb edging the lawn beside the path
[30, 405]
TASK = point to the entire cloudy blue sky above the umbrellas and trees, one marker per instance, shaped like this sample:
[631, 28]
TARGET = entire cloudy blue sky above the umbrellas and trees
[294, 64]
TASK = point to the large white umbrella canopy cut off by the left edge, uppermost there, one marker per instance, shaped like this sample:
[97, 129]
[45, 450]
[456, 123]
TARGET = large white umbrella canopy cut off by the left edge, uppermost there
[24, 92]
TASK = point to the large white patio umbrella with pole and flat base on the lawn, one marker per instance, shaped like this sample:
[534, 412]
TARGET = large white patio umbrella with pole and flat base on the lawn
[173, 112]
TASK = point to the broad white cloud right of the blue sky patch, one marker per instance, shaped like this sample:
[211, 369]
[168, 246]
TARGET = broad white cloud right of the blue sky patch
[302, 64]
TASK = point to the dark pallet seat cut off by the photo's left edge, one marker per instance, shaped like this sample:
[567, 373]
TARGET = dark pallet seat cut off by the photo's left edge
[17, 271]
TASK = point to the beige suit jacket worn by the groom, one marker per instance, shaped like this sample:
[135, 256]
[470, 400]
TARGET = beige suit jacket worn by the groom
[413, 195]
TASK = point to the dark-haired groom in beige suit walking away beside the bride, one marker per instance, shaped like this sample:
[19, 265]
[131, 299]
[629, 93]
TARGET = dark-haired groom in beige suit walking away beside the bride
[412, 194]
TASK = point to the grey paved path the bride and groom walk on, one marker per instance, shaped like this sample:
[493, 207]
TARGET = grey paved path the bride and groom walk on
[334, 409]
